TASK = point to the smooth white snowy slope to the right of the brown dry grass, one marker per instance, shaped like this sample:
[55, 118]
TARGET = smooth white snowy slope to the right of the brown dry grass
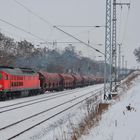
[118, 123]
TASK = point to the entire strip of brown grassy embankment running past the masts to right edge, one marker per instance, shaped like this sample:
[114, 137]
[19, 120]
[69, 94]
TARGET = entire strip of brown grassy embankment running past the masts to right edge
[94, 113]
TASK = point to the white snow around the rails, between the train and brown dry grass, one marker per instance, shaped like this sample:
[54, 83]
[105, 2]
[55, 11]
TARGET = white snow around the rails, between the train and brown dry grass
[50, 129]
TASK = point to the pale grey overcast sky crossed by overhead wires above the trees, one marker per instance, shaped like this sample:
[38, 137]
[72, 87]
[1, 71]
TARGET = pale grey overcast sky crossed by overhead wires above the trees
[72, 12]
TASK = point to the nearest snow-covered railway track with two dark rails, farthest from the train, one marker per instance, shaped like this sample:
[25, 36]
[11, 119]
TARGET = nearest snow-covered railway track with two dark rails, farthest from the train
[44, 115]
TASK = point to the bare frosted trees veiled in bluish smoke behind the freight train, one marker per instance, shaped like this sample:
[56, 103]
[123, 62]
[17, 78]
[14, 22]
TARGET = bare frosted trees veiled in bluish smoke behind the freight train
[25, 54]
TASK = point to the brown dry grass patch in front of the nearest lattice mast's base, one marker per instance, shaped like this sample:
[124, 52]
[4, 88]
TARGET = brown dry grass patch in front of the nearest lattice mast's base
[92, 117]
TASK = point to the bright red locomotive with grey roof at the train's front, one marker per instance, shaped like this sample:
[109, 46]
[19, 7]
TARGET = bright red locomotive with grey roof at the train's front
[18, 82]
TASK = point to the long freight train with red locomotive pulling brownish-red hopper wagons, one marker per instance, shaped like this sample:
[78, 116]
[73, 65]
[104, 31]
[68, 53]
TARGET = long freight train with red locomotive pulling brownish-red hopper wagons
[19, 82]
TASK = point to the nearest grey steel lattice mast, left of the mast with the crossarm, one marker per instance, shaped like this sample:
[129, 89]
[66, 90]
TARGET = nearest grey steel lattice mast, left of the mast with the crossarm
[107, 68]
